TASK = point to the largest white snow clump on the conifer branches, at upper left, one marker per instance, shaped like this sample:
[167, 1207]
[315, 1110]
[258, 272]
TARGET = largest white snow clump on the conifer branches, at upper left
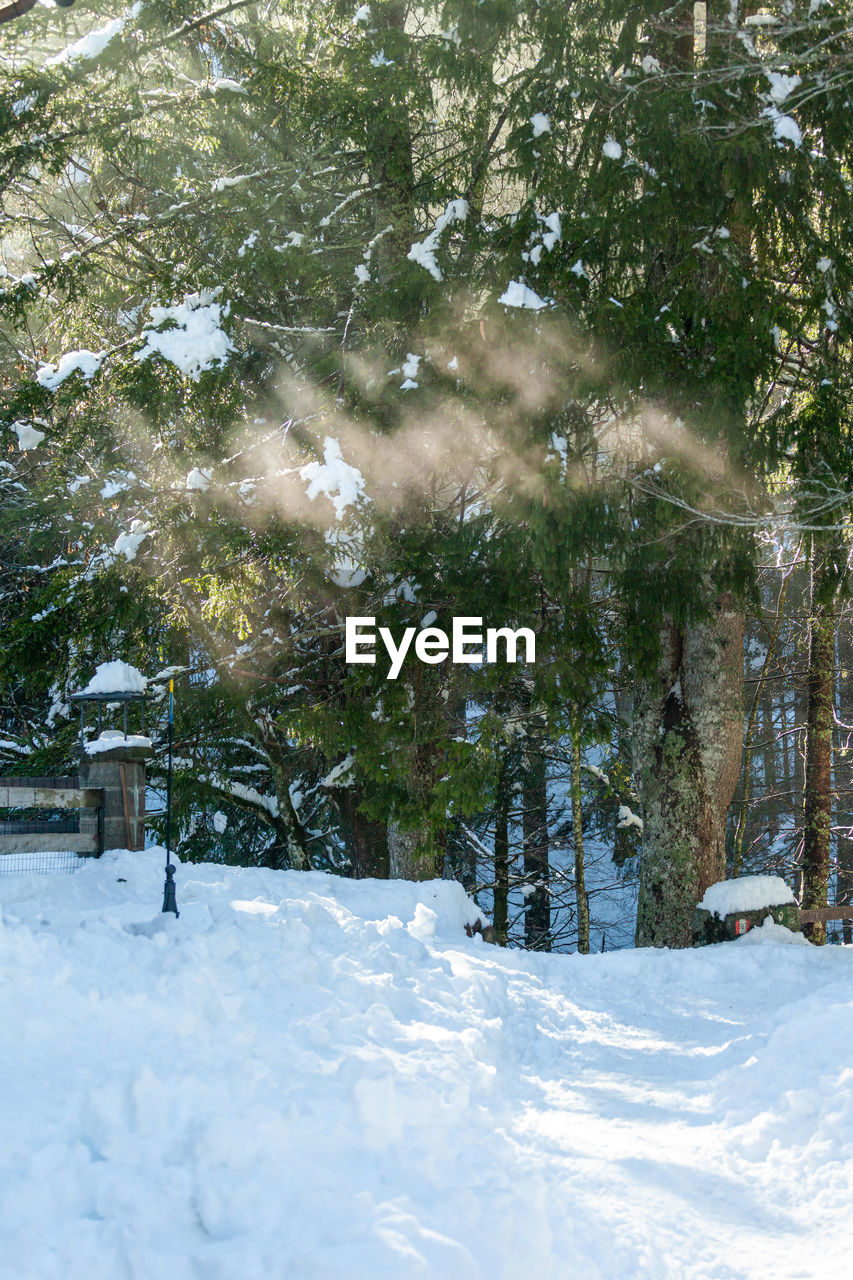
[189, 335]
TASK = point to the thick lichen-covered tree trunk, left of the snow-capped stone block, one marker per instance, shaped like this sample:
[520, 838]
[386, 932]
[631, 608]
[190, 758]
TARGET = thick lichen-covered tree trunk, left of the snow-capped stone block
[688, 742]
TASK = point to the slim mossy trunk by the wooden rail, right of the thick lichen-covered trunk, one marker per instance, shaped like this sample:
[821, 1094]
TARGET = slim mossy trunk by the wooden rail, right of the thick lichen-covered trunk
[818, 808]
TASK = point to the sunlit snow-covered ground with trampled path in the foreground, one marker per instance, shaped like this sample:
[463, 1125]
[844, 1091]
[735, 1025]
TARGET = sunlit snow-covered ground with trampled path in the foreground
[307, 1078]
